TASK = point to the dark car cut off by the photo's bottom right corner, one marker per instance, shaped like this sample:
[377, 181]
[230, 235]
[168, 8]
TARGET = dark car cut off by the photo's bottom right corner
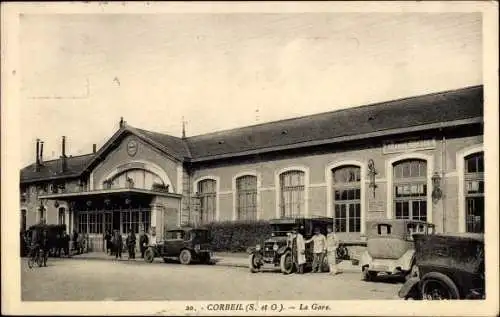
[450, 266]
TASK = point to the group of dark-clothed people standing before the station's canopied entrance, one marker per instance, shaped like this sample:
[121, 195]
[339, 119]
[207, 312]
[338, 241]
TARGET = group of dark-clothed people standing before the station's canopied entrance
[114, 243]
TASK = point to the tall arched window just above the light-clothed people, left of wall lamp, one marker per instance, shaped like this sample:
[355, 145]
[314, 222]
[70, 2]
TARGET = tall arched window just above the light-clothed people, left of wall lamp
[347, 198]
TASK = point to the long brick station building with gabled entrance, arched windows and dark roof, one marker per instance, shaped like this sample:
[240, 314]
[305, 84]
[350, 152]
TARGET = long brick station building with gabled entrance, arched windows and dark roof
[420, 158]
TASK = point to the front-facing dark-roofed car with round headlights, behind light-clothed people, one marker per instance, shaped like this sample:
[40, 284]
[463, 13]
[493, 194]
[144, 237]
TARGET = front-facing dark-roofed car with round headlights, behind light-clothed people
[277, 250]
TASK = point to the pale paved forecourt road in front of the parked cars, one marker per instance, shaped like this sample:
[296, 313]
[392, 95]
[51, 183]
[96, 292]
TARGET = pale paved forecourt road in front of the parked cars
[76, 279]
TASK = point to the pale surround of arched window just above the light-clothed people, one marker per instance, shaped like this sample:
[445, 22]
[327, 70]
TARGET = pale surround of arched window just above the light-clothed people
[329, 188]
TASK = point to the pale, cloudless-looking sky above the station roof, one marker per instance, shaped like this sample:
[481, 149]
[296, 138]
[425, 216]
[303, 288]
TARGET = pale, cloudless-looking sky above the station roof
[81, 73]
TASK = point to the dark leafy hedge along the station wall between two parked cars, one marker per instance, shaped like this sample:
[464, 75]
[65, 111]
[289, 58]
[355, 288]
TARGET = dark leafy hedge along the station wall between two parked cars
[237, 236]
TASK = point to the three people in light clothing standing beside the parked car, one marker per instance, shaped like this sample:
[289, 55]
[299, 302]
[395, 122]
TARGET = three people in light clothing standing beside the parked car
[322, 246]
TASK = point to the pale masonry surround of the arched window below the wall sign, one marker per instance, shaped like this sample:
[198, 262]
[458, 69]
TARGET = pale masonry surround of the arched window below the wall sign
[389, 173]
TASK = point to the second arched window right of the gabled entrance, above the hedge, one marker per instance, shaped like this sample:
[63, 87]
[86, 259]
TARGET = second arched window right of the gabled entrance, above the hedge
[246, 197]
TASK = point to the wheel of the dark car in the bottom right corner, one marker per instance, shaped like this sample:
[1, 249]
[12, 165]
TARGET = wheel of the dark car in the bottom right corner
[437, 286]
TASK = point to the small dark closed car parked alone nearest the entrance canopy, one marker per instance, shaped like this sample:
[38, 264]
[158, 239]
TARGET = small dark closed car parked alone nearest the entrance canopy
[186, 244]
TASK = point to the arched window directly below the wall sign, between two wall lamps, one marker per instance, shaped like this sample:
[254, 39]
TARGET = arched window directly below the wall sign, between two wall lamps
[410, 189]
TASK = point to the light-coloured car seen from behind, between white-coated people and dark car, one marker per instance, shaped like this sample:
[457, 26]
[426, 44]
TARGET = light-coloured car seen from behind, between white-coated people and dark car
[391, 248]
